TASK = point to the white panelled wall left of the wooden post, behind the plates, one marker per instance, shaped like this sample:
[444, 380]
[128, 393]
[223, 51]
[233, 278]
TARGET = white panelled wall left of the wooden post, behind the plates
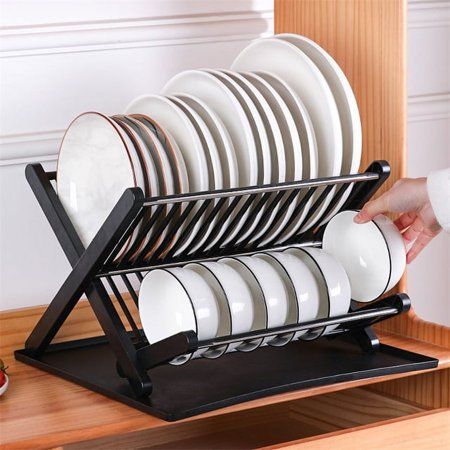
[59, 58]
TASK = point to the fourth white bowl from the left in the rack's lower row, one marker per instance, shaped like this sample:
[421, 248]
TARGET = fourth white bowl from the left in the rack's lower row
[305, 285]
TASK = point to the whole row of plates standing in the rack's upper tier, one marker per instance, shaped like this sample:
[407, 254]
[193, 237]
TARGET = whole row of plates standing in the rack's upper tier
[284, 112]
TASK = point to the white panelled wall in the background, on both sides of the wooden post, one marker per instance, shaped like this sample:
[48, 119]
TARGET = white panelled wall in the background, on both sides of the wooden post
[59, 58]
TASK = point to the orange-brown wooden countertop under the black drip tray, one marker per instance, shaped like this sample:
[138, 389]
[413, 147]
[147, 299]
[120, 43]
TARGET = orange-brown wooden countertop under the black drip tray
[41, 410]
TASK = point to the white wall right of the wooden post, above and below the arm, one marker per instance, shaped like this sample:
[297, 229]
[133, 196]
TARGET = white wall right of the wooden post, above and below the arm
[429, 143]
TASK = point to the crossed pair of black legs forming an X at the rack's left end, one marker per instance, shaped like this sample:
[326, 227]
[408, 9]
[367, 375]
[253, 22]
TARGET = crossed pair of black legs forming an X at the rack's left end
[85, 265]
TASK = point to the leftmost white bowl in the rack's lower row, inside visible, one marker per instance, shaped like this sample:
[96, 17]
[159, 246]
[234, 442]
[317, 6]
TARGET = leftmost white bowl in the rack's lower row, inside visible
[176, 300]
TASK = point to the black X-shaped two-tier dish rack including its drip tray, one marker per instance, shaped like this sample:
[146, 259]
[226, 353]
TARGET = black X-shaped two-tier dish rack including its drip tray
[123, 365]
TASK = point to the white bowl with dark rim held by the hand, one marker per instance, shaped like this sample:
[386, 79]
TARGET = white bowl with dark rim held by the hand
[373, 254]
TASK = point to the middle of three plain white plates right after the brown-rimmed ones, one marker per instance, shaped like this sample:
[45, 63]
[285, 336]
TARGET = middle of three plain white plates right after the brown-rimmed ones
[214, 168]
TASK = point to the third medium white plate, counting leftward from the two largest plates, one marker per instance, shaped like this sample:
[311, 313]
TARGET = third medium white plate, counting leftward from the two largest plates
[275, 141]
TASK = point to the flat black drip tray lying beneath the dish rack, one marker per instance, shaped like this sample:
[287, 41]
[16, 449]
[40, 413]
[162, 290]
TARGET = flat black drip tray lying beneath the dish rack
[203, 385]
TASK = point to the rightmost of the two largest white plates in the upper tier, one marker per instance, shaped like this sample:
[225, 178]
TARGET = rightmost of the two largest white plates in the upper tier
[346, 104]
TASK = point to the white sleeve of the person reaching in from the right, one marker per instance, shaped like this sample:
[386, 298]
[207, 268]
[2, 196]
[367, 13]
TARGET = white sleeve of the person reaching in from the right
[438, 184]
